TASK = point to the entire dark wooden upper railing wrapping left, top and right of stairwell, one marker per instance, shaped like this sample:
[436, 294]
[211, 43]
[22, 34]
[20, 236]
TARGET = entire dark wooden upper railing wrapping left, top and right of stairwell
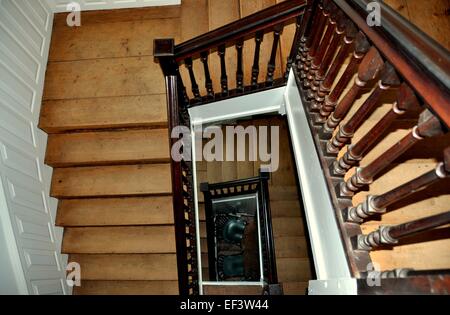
[396, 55]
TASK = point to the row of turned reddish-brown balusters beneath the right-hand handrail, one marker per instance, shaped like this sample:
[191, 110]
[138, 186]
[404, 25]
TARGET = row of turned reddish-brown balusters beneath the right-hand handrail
[321, 55]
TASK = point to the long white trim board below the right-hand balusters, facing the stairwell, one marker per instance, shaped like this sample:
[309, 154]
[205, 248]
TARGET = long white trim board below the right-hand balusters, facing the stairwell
[330, 259]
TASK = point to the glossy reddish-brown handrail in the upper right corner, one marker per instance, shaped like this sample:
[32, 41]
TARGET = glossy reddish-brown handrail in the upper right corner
[422, 61]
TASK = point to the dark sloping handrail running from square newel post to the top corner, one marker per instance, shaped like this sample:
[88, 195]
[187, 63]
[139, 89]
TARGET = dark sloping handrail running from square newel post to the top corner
[251, 24]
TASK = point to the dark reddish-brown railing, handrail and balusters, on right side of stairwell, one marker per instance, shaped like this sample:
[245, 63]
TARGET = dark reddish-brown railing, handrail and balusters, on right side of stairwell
[398, 57]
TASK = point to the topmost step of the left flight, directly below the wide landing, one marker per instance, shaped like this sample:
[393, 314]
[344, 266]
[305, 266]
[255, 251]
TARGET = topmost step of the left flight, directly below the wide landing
[103, 113]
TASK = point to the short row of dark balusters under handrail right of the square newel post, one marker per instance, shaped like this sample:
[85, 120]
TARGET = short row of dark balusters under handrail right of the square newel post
[240, 87]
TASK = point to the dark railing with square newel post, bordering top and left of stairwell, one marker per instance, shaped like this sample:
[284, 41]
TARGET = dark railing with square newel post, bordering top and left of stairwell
[198, 50]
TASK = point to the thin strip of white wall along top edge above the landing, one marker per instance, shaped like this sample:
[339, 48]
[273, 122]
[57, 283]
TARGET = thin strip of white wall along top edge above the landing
[60, 5]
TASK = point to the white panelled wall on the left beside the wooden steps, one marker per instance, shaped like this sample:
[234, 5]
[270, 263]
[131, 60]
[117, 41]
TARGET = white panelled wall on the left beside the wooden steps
[27, 213]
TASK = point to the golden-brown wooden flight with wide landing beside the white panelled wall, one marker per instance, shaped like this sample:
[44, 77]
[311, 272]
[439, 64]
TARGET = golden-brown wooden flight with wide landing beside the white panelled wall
[108, 144]
